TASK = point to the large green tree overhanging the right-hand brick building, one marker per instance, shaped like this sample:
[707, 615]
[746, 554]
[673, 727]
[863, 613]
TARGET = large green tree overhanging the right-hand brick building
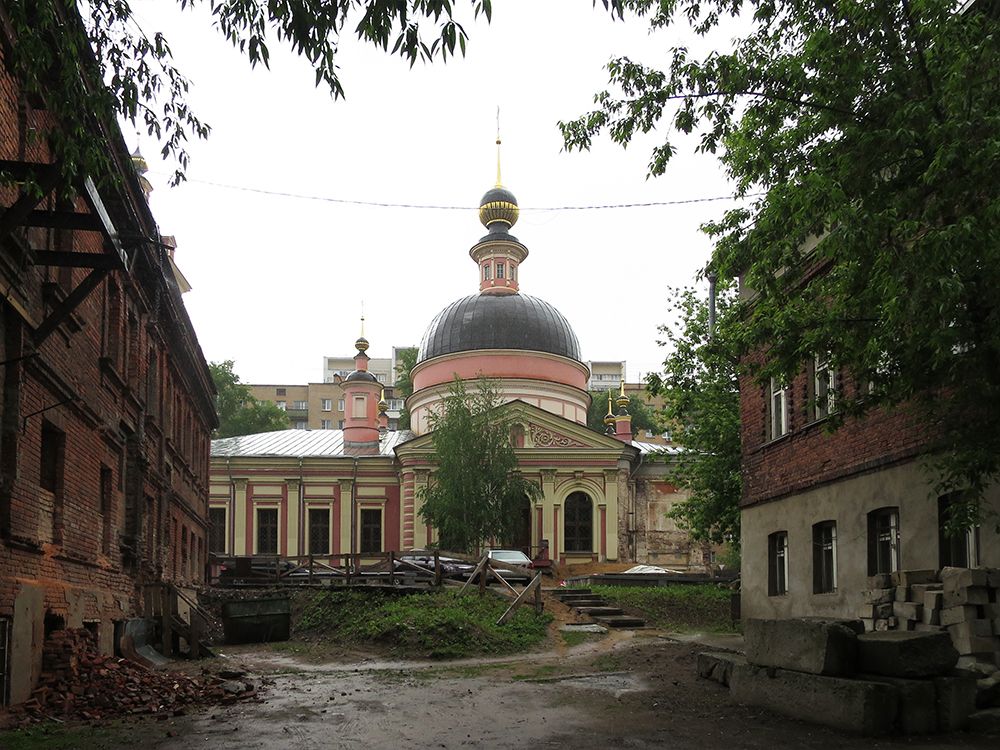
[863, 137]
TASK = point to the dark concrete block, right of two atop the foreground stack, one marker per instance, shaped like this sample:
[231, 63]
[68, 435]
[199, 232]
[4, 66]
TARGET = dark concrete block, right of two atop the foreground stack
[906, 654]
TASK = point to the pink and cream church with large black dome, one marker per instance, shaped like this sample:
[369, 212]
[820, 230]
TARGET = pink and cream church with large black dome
[603, 497]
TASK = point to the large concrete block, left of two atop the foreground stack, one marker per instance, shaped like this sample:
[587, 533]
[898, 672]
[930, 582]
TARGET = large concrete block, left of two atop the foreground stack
[805, 645]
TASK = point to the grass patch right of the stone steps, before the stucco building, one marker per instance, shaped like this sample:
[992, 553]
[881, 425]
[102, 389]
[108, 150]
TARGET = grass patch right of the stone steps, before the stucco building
[681, 608]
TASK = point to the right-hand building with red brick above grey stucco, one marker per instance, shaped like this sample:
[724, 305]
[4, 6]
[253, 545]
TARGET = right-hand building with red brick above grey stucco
[822, 511]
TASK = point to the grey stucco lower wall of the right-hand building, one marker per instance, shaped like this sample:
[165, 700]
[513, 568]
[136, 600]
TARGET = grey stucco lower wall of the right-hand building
[847, 502]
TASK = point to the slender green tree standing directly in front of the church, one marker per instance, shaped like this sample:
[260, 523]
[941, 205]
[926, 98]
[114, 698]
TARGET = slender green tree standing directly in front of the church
[476, 493]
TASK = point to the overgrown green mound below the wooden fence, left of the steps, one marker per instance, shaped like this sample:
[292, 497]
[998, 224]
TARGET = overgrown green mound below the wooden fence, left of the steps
[439, 625]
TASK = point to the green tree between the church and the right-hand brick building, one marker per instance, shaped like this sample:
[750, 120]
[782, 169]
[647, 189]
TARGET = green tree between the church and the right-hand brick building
[701, 389]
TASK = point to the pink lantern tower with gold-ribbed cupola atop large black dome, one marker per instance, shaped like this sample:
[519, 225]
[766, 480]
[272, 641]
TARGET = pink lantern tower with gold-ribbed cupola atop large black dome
[499, 254]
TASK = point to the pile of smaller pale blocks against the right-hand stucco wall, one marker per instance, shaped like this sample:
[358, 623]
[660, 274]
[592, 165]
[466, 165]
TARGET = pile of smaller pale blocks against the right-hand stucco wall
[964, 601]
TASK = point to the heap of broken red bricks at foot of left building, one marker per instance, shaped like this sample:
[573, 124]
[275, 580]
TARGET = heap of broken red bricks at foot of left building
[78, 682]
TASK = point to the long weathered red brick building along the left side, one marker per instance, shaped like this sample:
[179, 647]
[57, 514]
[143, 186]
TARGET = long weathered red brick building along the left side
[106, 403]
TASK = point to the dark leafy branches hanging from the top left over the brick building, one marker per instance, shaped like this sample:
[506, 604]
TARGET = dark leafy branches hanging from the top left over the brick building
[144, 88]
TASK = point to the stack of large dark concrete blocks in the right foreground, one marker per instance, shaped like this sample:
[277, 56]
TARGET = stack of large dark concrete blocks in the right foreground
[832, 672]
